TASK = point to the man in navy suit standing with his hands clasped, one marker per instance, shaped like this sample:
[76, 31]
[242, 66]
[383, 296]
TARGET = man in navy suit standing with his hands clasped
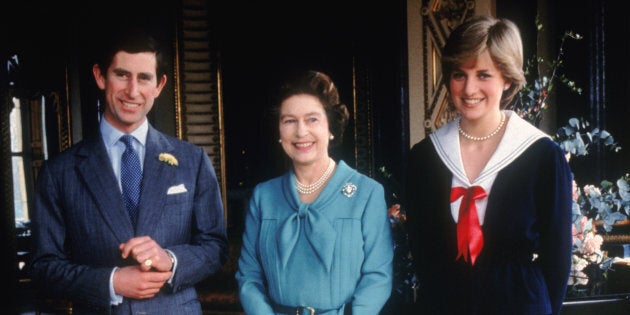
[87, 250]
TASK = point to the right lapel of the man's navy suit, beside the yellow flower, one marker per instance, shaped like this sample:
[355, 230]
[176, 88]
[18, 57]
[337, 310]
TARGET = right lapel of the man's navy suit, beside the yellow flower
[154, 185]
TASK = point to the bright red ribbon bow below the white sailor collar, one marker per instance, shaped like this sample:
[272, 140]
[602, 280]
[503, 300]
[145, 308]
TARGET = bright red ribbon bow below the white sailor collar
[469, 234]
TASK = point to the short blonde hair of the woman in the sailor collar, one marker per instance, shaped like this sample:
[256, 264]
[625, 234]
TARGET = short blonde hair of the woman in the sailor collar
[500, 37]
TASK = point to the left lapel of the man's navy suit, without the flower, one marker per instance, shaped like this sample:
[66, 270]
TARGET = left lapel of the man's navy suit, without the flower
[100, 180]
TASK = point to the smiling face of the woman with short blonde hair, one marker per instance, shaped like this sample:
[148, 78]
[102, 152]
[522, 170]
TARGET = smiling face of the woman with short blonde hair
[476, 87]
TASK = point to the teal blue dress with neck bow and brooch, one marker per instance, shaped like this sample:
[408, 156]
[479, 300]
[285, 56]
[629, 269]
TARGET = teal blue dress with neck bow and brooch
[325, 254]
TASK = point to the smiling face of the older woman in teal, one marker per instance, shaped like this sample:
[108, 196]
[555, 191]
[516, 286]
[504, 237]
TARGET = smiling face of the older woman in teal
[304, 129]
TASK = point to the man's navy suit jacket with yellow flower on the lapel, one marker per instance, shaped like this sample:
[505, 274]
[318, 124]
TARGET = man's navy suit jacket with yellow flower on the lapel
[79, 220]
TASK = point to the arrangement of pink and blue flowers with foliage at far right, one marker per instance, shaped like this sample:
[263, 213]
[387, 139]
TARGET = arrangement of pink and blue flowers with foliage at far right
[595, 209]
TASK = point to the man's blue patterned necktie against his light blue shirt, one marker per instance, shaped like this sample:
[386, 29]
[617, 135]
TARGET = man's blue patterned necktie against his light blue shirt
[130, 178]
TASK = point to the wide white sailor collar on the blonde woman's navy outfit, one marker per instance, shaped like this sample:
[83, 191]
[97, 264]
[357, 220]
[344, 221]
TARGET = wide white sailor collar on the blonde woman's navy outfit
[519, 135]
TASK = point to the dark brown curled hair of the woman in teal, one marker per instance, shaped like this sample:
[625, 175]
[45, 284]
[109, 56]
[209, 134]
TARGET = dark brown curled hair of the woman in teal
[320, 85]
